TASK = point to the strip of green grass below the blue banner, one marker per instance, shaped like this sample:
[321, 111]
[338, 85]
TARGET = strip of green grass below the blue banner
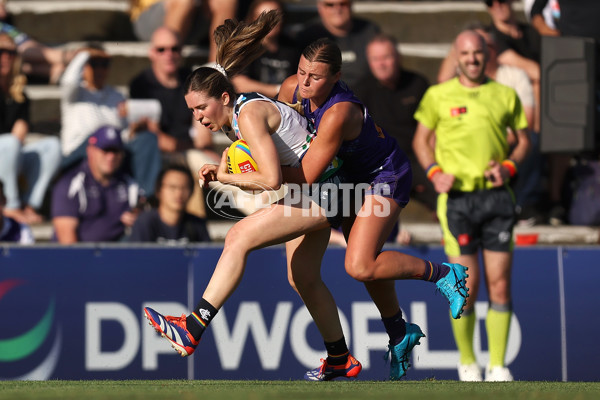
[291, 390]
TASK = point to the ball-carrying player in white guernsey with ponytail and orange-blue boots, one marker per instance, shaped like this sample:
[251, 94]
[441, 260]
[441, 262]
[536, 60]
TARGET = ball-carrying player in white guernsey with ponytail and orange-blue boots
[277, 135]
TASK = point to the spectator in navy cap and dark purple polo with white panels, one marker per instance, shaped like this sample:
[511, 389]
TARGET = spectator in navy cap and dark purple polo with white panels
[95, 201]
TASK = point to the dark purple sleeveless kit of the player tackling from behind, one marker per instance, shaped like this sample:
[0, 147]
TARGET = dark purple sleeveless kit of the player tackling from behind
[374, 156]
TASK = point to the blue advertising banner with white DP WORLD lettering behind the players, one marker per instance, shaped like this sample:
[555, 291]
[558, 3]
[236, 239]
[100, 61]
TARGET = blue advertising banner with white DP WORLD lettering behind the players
[76, 313]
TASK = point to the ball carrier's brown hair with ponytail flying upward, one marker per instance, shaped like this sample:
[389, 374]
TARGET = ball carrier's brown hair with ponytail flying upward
[238, 44]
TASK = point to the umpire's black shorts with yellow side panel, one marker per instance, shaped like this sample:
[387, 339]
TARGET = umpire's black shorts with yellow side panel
[480, 219]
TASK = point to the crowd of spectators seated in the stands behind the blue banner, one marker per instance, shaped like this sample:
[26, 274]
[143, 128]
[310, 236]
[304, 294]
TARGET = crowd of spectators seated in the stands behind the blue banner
[109, 177]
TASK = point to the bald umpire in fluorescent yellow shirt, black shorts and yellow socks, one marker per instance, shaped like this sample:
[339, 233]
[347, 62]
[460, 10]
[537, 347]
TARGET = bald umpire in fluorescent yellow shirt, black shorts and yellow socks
[472, 163]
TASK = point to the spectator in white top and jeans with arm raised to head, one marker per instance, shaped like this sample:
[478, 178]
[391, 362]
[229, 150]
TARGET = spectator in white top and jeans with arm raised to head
[89, 102]
